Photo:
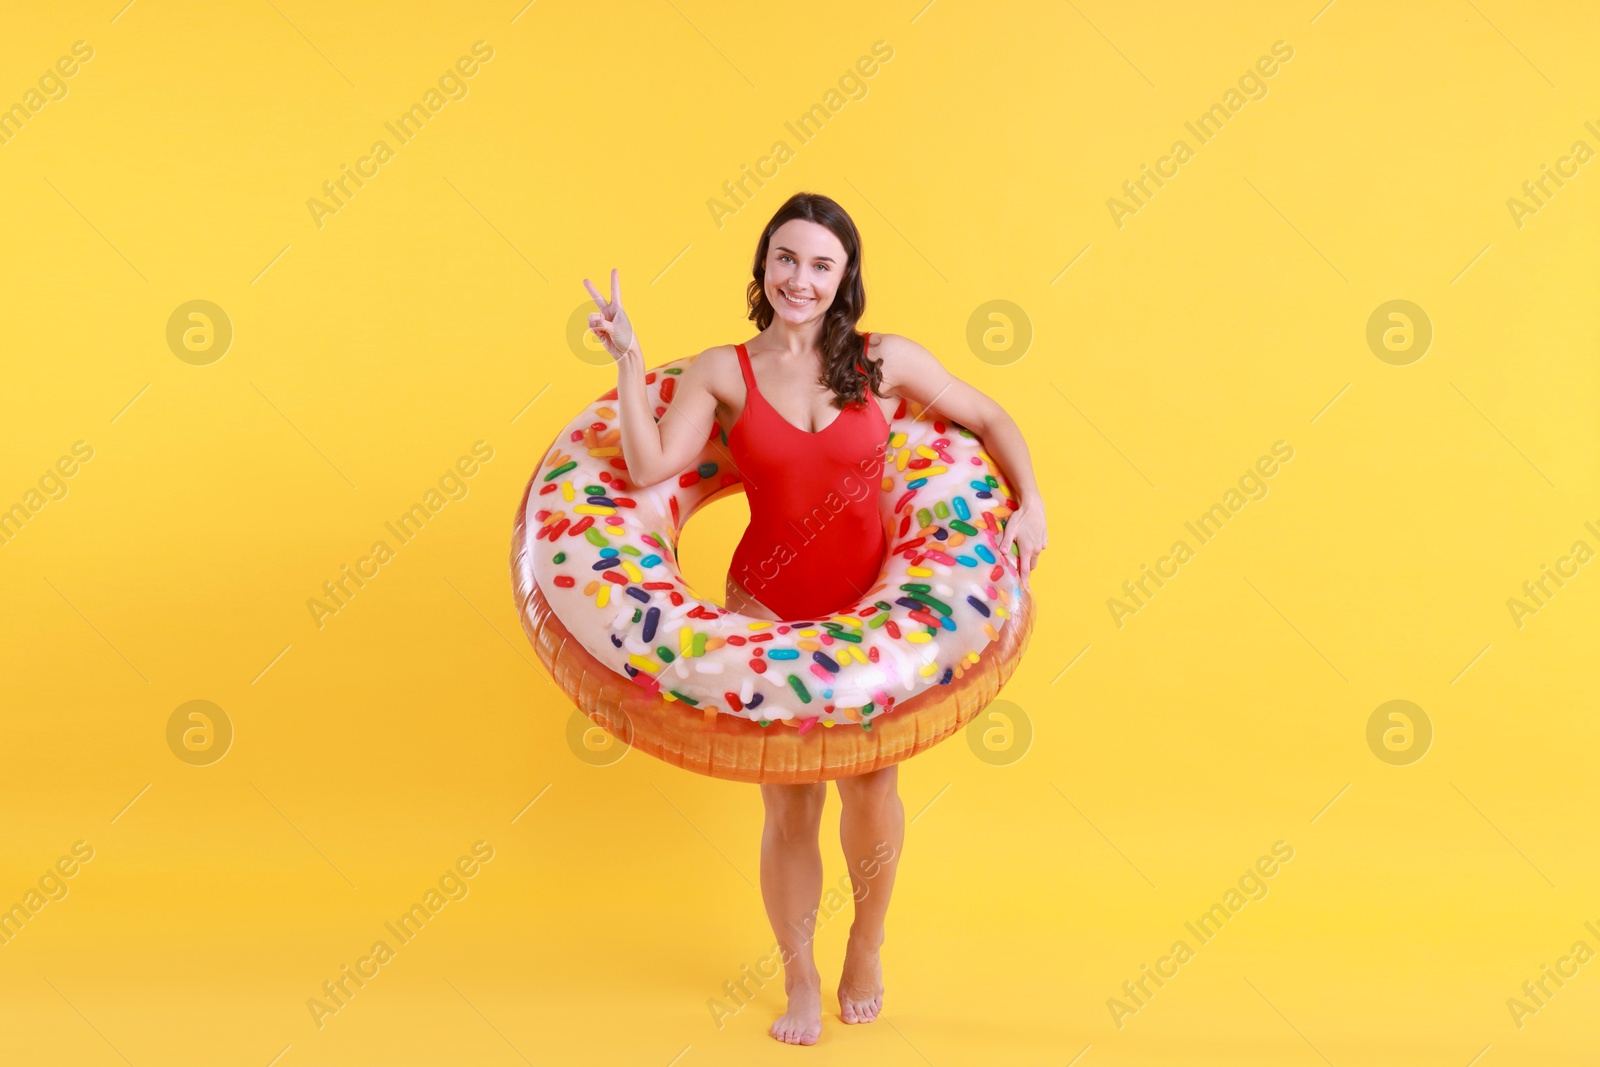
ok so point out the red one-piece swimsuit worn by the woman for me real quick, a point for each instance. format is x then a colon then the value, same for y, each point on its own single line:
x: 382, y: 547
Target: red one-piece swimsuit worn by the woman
x: 815, y: 543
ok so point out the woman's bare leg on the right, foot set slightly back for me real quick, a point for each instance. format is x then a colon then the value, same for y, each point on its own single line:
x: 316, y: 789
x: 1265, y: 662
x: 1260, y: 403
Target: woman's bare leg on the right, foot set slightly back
x: 873, y: 831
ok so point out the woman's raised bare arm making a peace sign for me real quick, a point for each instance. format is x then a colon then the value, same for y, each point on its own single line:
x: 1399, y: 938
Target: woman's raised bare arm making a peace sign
x: 654, y: 450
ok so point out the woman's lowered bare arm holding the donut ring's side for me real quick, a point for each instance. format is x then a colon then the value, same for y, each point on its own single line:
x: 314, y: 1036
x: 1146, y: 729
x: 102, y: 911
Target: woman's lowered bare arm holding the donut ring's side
x: 911, y: 372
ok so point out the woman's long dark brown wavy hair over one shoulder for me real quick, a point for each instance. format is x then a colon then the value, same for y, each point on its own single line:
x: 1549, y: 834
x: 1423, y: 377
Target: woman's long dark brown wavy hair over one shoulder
x: 847, y: 369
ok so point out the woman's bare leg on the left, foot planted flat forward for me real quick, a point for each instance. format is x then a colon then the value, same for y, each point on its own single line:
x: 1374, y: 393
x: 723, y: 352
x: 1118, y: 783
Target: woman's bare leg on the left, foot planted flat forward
x: 793, y: 889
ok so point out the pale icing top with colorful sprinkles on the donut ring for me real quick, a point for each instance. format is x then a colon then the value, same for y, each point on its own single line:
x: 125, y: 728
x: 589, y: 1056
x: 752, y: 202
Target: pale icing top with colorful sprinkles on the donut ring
x: 606, y: 557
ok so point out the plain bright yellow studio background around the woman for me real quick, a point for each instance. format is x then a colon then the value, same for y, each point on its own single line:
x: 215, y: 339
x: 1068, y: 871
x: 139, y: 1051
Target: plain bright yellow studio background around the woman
x: 428, y: 314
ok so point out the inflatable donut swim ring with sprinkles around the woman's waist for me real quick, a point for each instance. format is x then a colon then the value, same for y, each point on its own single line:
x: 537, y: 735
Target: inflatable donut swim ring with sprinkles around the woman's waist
x: 599, y: 593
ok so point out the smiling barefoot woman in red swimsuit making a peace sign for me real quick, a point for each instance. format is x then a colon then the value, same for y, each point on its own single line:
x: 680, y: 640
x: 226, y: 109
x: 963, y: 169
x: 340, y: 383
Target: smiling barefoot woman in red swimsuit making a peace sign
x: 807, y: 404
